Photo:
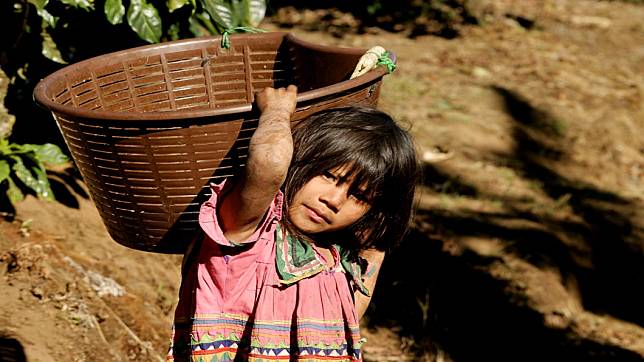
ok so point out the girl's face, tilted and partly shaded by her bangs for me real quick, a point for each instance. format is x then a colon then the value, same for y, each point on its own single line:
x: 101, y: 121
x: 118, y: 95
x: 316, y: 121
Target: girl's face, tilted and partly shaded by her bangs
x: 325, y: 203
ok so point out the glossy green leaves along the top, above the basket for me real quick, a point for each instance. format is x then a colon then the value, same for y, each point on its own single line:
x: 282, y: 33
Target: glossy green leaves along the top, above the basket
x: 151, y: 20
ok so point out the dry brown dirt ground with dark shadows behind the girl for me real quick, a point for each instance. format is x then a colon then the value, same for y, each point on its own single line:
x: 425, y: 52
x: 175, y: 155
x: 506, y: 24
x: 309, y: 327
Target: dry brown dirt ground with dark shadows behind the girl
x: 529, y: 237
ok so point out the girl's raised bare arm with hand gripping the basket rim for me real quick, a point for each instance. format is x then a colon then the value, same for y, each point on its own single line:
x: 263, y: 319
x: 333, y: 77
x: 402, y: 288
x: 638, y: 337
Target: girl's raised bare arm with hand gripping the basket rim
x: 269, y: 155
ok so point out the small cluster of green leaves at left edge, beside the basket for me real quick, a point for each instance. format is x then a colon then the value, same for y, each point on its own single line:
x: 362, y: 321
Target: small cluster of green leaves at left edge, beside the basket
x: 25, y: 164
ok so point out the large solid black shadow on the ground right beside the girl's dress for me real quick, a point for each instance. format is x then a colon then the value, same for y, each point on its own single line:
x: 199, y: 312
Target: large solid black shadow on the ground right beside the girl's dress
x: 470, y: 315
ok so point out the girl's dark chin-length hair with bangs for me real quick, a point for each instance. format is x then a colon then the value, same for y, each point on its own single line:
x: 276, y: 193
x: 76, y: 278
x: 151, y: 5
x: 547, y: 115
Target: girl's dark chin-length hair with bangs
x: 380, y: 155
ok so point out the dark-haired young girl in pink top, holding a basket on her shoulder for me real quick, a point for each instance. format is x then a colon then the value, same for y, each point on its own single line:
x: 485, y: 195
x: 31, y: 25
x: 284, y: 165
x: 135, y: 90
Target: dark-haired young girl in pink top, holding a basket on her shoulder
x: 292, y: 248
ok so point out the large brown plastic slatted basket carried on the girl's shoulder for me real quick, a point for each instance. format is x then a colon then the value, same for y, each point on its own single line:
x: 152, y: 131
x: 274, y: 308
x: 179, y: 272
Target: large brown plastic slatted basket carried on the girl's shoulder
x: 150, y: 127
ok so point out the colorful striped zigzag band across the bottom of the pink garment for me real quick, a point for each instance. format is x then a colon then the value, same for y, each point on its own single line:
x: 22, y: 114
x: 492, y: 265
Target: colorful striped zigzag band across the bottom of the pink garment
x: 268, y: 340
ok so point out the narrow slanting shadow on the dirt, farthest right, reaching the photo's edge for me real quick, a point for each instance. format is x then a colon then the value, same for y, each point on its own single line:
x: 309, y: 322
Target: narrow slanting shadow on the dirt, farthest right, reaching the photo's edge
x: 615, y: 240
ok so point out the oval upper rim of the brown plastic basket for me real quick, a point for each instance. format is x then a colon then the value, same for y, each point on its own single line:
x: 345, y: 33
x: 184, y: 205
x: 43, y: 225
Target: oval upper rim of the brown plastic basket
x: 41, y: 98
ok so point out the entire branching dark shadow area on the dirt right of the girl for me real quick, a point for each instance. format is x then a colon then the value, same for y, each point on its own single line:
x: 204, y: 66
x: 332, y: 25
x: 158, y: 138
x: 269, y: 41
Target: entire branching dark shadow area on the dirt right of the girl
x: 439, y: 298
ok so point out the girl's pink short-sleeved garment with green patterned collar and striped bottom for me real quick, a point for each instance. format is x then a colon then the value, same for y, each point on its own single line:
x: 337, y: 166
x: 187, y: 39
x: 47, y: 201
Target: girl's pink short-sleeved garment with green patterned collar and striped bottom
x: 235, y: 303
